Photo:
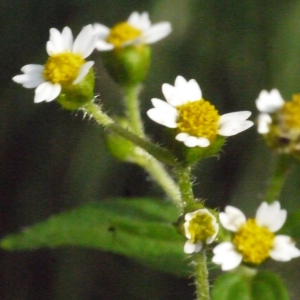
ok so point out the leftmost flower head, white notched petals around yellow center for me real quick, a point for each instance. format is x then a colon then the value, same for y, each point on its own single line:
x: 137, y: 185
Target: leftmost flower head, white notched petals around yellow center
x: 65, y: 66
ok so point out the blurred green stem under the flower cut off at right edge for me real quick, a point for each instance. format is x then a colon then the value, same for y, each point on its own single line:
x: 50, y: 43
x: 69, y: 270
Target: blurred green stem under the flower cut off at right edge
x: 278, y: 178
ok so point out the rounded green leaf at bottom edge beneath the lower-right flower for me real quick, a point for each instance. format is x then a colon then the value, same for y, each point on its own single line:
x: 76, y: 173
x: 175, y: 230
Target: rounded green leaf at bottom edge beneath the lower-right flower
x: 264, y: 285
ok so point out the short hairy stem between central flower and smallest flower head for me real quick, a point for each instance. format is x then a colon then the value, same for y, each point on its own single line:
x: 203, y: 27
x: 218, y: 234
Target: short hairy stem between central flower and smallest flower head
x: 185, y: 185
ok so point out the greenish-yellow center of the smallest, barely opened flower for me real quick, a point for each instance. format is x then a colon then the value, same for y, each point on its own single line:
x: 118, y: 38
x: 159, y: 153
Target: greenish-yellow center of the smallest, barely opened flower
x: 201, y: 227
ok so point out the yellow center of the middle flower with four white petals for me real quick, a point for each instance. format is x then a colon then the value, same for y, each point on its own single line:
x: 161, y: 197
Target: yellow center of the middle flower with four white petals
x: 198, y: 118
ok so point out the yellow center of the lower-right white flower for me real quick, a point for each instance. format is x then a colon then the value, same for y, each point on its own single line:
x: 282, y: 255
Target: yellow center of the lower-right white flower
x: 254, y: 242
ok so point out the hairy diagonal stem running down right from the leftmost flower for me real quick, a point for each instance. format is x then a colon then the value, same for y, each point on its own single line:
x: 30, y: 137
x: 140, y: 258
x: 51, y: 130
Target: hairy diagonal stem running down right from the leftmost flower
x: 103, y: 119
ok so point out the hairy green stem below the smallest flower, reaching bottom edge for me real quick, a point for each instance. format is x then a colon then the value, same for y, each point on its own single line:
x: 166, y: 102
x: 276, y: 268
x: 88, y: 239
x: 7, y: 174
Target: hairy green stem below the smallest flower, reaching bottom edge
x: 201, y: 276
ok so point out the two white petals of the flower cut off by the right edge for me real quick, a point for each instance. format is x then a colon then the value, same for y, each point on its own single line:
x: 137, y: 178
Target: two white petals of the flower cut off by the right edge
x: 267, y: 103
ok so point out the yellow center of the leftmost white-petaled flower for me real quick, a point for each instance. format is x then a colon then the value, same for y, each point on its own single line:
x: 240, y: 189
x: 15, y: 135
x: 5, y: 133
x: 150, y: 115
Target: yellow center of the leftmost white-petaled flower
x: 63, y: 67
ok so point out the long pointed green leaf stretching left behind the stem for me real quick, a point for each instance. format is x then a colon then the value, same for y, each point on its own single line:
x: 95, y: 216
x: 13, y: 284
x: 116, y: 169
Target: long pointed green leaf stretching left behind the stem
x: 141, y: 229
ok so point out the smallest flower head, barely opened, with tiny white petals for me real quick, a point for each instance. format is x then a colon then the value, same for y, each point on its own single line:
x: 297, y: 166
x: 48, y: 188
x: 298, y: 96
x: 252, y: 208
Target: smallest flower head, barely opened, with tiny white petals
x: 200, y: 228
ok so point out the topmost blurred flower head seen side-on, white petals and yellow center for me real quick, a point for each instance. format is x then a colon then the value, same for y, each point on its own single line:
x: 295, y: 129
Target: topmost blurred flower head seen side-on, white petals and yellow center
x: 136, y: 30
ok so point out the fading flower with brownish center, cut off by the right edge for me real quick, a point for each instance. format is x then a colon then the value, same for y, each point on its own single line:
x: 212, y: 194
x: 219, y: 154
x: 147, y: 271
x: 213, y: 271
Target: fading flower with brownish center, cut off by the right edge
x: 279, y: 121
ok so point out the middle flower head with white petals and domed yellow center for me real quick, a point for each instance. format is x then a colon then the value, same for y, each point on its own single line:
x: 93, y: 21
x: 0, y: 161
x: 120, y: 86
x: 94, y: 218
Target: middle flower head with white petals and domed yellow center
x: 197, y: 121
